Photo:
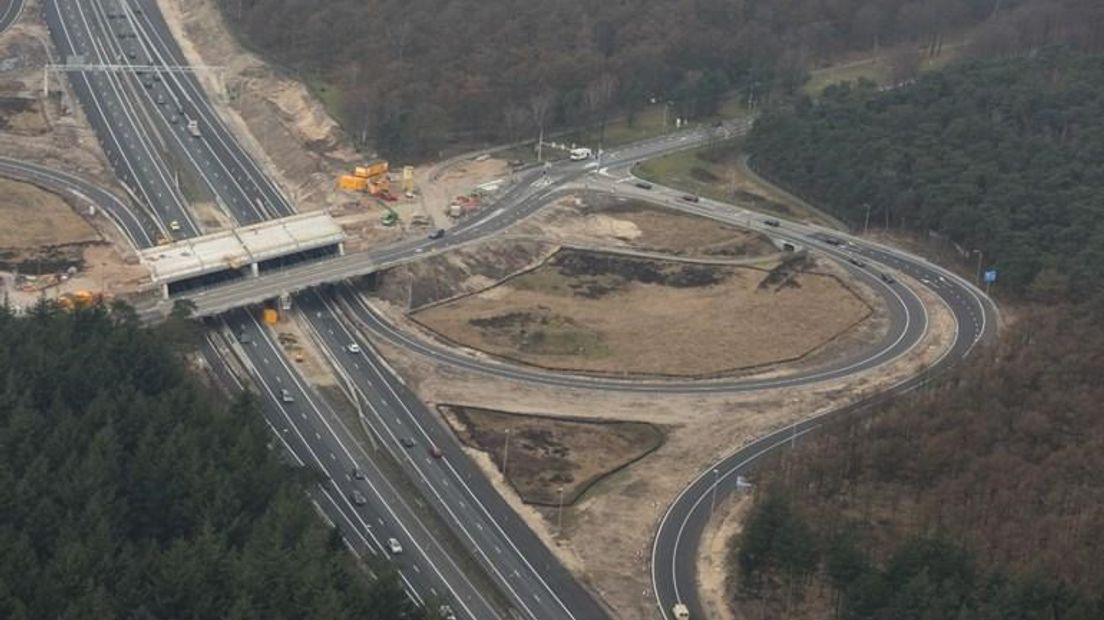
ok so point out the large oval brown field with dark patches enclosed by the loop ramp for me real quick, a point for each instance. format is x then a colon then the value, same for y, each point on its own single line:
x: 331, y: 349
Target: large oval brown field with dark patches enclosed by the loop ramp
x: 604, y: 314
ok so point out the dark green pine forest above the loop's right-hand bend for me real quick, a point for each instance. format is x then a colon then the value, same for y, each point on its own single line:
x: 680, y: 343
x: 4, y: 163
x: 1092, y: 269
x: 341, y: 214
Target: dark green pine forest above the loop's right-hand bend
x: 1002, y: 157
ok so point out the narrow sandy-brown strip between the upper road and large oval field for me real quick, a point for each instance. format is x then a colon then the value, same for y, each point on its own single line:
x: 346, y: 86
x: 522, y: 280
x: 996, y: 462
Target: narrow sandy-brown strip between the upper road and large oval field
x: 611, y: 221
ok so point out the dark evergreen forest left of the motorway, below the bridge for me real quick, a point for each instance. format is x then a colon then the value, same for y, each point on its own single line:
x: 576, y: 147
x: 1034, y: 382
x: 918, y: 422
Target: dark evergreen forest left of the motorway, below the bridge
x: 129, y: 489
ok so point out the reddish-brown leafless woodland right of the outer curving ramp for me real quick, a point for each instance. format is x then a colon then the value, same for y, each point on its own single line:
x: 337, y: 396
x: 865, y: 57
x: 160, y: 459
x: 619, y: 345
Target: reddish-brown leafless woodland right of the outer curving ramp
x: 980, y: 498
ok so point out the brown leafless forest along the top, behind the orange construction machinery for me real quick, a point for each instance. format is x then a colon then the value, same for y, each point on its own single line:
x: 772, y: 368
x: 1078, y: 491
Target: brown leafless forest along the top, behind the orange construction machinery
x: 417, y: 74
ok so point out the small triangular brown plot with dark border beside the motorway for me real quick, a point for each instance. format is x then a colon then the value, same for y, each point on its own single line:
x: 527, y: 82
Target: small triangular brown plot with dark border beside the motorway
x: 549, y: 454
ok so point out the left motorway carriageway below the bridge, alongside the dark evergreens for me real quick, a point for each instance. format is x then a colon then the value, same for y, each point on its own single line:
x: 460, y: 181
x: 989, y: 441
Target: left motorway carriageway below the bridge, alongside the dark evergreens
x: 319, y: 439
